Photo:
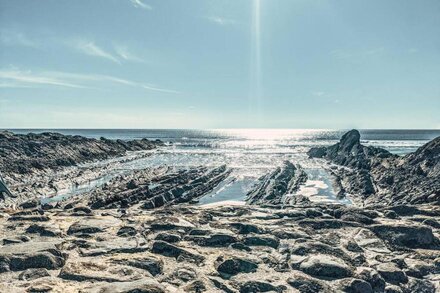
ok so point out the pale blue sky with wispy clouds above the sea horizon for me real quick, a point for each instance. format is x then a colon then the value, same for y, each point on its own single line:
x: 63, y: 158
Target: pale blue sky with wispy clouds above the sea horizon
x: 220, y: 64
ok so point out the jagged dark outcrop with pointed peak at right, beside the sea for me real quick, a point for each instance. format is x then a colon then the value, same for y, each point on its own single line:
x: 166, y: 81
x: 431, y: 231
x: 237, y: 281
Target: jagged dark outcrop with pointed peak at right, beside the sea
x: 381, y: 177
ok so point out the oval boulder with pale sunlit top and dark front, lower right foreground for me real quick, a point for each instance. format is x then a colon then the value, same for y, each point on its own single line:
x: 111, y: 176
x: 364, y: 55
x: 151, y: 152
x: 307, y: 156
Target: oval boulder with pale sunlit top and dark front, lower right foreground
x: 324, y: 266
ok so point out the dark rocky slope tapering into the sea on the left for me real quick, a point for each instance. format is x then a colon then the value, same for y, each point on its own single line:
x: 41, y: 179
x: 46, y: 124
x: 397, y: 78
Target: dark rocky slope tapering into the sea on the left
x: 35, y: 165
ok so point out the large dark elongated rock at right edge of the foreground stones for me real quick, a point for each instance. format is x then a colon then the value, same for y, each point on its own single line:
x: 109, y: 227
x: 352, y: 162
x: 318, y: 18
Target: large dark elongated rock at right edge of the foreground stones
x: 407, y: 236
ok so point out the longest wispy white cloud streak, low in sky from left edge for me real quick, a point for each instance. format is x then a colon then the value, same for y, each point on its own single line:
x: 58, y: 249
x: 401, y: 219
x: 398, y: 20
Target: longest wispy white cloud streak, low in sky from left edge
x: 16, y: 78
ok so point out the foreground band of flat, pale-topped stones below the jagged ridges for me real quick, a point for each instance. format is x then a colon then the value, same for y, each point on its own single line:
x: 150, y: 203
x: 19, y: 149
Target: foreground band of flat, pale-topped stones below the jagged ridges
x: 320, y: 248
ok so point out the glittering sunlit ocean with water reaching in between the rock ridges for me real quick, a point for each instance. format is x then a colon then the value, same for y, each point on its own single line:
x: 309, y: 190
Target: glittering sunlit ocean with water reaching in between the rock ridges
x: 250, y: 153
